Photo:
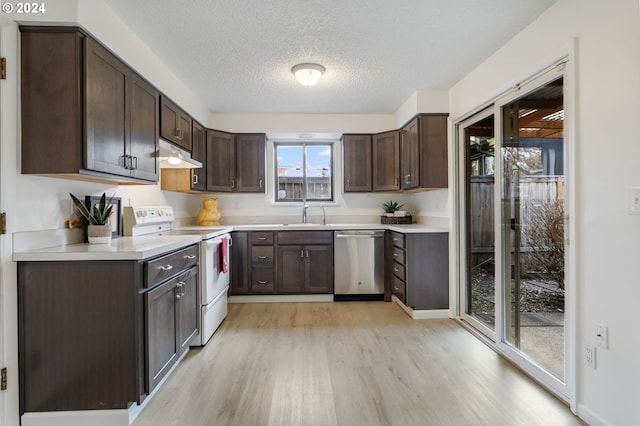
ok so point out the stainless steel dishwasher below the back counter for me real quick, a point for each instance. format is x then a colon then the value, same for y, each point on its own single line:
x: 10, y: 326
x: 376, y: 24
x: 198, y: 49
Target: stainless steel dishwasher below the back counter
x: 359, y: 265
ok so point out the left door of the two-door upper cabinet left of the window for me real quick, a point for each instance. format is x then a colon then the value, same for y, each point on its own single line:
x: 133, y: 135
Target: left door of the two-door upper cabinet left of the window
x: 221, y: 154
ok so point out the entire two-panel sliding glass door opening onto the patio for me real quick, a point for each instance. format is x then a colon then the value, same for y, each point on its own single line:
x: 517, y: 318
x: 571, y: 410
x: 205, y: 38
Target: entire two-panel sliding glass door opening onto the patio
x: 511, y: 178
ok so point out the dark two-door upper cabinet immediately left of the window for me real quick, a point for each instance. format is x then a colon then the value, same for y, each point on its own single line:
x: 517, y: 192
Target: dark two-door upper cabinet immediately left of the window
x: 235, y: 163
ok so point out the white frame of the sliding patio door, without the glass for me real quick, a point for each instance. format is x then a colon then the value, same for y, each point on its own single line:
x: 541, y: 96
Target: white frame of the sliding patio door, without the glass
x: 562, y: 66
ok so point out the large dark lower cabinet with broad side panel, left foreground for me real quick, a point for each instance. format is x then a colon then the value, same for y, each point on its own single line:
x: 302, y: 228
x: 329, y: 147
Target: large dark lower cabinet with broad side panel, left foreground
x: 96, y: 335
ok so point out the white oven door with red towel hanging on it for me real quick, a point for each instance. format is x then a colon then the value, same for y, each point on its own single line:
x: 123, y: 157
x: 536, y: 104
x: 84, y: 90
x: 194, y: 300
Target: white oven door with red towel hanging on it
x: 214, y: 279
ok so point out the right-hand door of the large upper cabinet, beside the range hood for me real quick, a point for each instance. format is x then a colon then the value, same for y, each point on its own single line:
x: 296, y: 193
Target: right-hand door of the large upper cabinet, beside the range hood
x: 144, y: 116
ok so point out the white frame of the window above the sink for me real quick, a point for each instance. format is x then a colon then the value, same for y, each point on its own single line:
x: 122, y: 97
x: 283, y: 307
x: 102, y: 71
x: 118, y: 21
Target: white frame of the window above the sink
x: 305, y: 183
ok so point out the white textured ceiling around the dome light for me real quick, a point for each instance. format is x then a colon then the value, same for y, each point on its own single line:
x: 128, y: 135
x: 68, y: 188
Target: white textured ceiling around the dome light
x: 237, y: 54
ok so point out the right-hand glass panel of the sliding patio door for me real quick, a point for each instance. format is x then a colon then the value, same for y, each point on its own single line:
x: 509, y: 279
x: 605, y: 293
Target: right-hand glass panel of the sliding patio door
x: 532, y: 200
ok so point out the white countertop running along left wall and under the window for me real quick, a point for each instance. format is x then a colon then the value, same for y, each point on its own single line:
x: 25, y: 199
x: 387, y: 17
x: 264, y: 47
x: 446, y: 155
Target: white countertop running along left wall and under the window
x: 144, y: 247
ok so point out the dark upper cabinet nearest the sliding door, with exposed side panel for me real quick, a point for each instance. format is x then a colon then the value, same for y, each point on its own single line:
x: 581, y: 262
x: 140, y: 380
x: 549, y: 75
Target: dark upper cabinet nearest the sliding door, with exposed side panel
x: 423, y: 144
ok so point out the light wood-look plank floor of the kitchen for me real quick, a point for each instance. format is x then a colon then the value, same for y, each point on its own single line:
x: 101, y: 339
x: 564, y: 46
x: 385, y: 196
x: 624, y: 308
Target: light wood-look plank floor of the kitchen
x: 350, y: 363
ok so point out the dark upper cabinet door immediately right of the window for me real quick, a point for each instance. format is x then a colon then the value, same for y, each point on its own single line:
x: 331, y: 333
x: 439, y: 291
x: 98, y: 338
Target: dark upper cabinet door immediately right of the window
x: 356, y: 152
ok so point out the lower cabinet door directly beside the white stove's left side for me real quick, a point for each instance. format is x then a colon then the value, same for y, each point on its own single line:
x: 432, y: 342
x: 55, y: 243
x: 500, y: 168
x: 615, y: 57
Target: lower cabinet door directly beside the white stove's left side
x: 187, y: 323
